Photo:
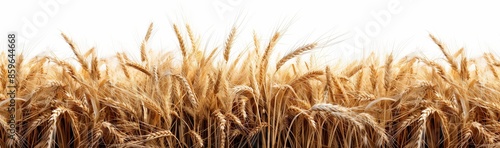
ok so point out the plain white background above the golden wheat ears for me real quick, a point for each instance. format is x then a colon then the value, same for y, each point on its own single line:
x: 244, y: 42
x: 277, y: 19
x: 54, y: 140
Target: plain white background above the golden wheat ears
x: 119, y: 26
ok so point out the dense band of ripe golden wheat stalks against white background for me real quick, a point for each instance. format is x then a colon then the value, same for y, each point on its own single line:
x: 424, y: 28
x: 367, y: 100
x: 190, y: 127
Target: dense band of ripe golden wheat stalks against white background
x: 251, y: 100
